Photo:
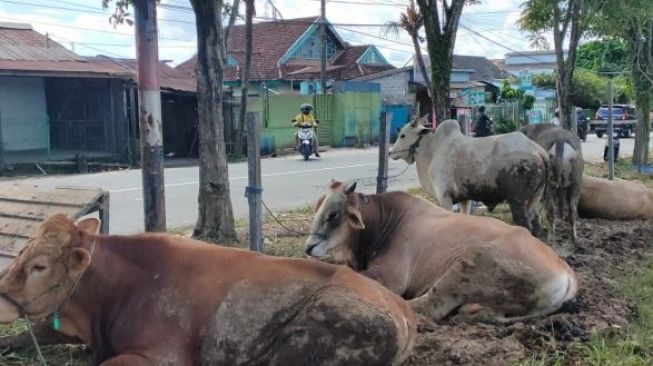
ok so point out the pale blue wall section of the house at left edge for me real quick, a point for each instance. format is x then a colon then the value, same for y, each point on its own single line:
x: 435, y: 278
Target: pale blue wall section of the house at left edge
x: 23, y: 116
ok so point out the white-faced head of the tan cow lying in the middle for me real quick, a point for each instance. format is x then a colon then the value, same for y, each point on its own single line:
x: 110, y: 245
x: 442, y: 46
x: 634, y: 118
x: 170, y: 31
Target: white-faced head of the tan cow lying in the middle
x: 335, y: 212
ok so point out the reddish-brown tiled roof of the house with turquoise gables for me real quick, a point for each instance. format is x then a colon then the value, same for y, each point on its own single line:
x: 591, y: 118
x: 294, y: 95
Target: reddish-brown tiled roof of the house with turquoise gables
x: 271, y: 40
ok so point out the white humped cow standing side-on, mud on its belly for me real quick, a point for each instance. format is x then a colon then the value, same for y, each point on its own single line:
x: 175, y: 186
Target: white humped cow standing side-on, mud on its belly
x: 454, y: 168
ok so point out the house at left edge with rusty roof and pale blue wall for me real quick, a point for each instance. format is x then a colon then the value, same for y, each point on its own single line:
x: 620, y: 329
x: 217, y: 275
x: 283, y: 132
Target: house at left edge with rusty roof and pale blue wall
x: 56, y: 104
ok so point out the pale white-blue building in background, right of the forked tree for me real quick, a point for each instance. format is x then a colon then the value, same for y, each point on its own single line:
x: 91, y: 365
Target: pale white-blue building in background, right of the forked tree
x: 534, y: 62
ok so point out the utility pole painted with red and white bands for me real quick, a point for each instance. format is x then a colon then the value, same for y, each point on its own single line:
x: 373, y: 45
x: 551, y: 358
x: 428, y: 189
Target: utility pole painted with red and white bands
x: 149, y: 97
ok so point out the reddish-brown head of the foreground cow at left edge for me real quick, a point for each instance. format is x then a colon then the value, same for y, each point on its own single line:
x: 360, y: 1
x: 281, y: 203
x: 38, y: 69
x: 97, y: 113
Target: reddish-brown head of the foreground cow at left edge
x: 44, y: 273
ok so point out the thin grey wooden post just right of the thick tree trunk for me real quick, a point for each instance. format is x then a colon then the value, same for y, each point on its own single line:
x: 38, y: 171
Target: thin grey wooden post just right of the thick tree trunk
x: 254, y: 190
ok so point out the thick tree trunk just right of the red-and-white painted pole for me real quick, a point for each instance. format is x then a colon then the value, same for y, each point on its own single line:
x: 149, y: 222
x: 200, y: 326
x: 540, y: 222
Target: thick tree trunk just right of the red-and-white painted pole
x: 215, y: 218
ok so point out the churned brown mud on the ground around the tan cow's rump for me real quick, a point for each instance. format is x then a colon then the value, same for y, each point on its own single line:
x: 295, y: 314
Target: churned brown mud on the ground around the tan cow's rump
x: 605, y: 250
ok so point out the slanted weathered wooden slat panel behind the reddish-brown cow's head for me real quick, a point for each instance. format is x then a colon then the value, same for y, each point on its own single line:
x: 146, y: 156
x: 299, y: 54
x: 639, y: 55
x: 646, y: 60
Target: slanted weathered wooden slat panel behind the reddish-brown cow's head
x: 23, y: 208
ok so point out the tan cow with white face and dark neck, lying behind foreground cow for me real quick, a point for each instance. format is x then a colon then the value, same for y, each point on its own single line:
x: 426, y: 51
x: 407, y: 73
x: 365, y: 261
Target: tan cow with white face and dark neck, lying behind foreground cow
x: 442, y: 260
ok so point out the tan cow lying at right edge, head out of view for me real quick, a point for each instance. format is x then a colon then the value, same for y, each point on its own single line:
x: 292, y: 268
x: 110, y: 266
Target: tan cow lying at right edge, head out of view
x: 616, y: 199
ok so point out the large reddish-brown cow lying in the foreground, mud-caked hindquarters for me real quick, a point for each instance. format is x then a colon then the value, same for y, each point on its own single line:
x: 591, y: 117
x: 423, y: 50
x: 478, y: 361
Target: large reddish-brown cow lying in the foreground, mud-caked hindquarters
x: 164, y: 300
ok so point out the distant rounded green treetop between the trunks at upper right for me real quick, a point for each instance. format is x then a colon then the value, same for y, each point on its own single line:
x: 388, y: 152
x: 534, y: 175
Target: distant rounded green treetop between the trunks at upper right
x: 609, y: 53
